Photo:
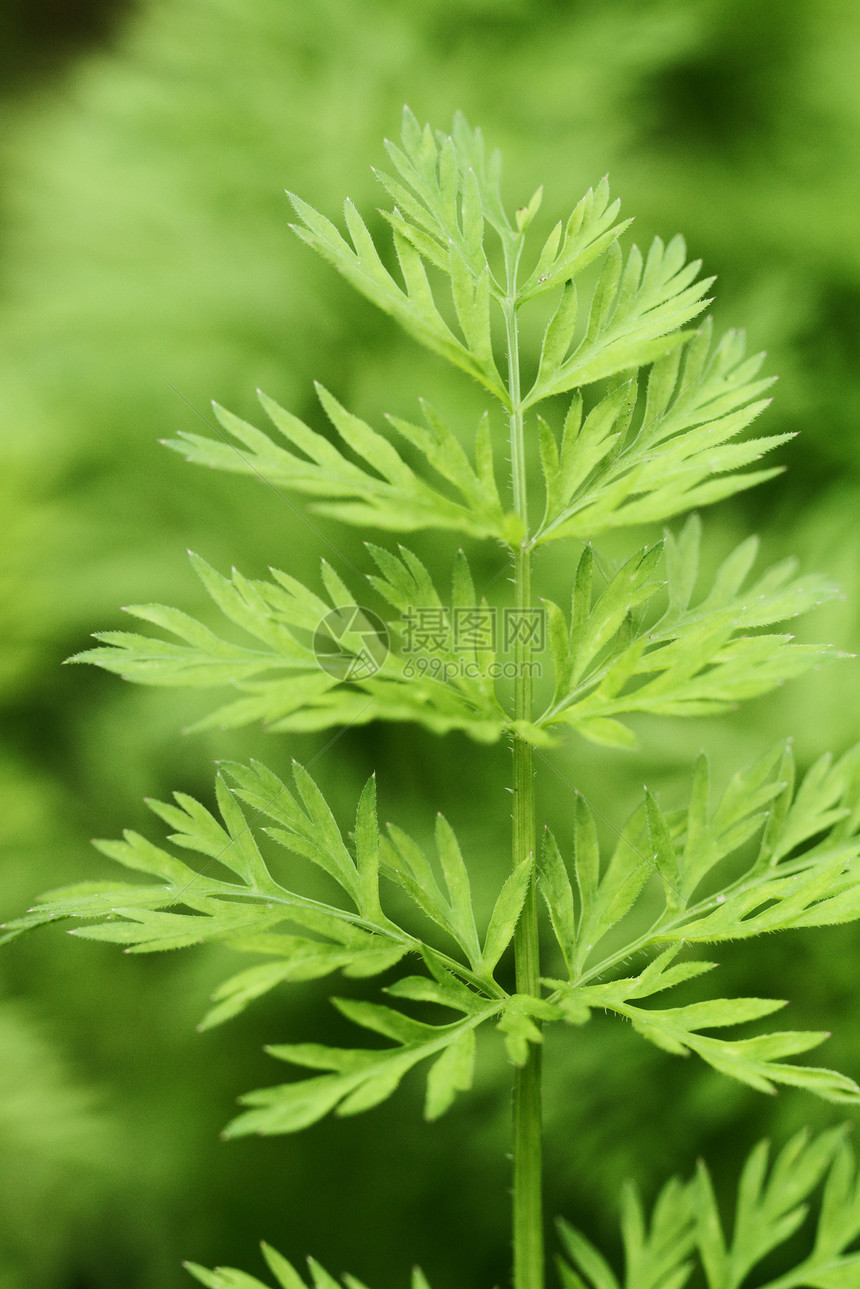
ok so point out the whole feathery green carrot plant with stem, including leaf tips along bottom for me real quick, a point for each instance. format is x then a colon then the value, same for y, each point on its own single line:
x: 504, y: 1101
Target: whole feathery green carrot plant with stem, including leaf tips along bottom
x: 636, y: 416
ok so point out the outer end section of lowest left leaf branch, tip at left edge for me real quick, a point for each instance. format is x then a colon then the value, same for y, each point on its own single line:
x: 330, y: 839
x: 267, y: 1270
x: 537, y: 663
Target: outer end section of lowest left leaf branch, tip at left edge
x: 253, y: 912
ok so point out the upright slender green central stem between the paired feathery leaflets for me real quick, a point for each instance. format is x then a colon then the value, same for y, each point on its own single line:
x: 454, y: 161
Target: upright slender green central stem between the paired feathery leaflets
x: 528, y: 1198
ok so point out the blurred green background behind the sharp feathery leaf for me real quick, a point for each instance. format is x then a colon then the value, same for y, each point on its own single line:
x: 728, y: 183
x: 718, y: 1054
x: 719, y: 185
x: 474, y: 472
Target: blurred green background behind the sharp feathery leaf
x: 146, y: 266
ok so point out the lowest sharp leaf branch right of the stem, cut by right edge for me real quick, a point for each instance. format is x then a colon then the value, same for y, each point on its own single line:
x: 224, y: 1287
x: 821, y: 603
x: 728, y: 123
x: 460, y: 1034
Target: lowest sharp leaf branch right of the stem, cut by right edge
x: 799, y: 875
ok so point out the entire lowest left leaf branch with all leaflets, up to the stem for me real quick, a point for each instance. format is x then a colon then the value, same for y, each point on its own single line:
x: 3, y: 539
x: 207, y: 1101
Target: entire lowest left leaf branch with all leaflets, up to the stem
x: 306, y: 939
